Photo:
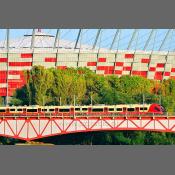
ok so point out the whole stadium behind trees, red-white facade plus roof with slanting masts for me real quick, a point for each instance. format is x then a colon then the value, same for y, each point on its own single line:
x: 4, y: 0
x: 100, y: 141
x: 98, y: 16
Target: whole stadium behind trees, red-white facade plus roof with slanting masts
x: 143, y: 52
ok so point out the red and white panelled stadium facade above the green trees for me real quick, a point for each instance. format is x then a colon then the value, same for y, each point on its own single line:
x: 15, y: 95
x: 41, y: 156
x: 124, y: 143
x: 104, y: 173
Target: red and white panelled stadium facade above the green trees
x: 157, y: 66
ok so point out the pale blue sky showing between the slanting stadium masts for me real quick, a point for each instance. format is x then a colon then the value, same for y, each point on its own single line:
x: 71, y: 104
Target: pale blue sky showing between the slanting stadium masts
x: 106, y: 37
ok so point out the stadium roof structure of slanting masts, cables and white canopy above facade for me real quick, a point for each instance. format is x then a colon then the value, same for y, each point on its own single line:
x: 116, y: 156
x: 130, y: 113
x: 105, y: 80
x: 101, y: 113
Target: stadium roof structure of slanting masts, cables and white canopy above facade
x: 92, y: 39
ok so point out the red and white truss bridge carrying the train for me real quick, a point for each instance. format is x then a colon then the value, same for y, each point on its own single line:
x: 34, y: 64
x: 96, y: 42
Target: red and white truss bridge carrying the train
x: 38, y: 126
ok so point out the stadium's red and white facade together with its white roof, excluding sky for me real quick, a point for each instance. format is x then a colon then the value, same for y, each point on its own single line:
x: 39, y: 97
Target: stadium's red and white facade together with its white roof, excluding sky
x: 157, y: 65
